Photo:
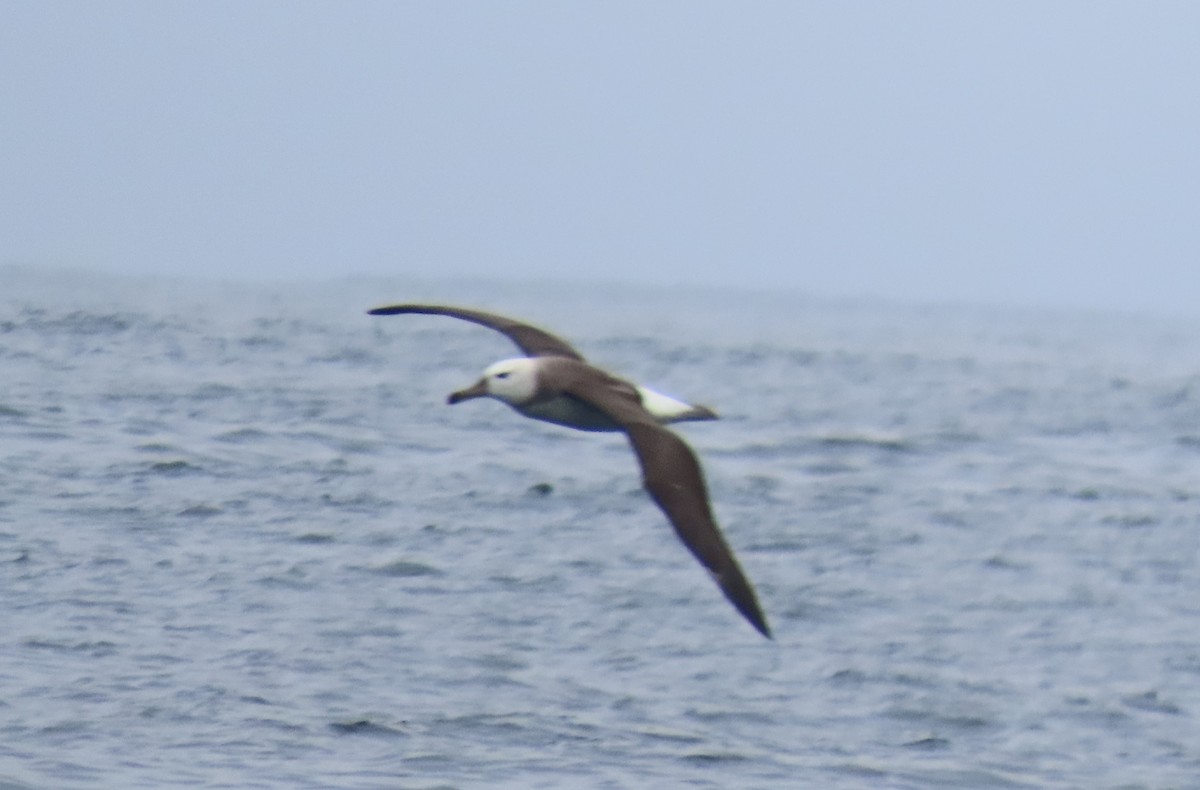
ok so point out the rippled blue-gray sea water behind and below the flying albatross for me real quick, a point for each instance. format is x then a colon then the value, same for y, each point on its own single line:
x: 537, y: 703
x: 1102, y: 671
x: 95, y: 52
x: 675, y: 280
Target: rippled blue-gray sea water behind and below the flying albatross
x: 244, y: 543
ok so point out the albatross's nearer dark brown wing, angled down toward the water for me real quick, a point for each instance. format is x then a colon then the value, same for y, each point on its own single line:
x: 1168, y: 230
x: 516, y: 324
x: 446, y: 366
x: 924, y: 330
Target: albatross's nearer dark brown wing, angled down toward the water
x: 673, y: 476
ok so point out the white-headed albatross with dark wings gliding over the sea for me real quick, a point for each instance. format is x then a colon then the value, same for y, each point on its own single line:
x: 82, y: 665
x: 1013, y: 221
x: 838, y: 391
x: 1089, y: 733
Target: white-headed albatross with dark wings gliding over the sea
x: 553, y: 382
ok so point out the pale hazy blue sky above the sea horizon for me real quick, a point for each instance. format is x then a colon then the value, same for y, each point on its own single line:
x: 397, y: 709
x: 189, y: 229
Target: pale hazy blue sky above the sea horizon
x: 1028, y: 153
